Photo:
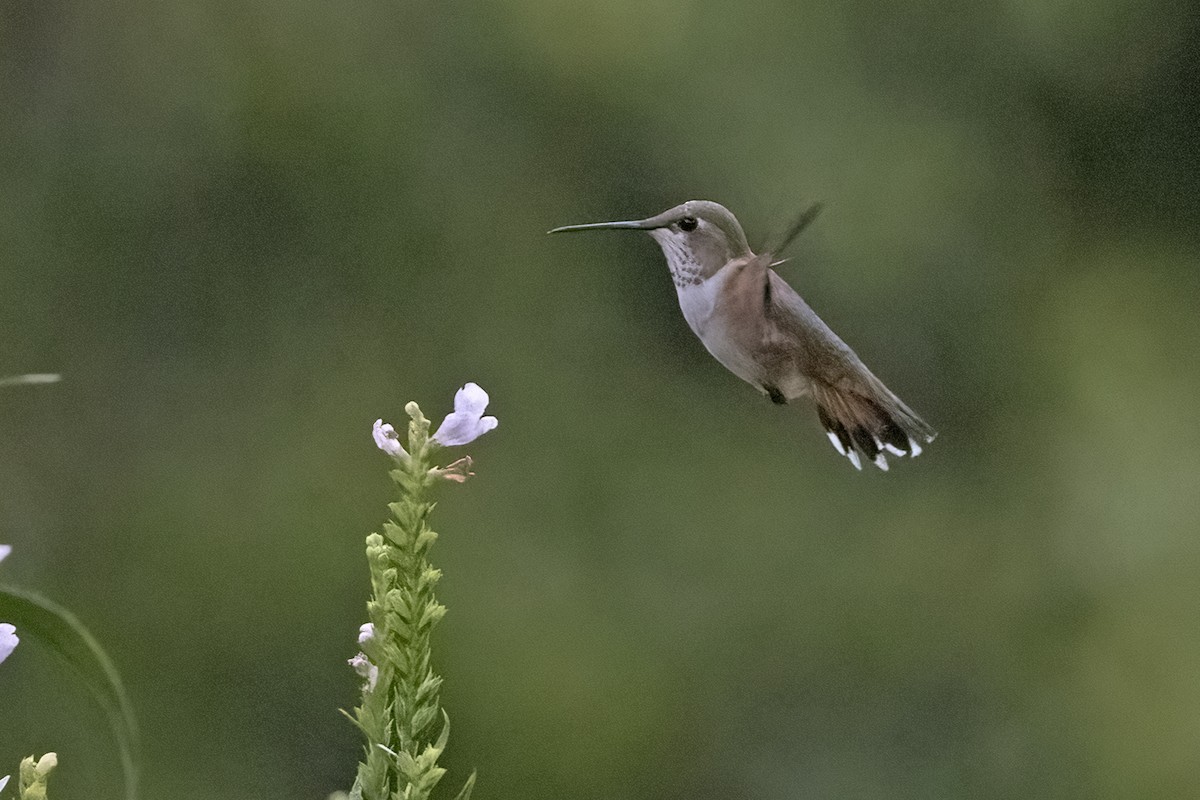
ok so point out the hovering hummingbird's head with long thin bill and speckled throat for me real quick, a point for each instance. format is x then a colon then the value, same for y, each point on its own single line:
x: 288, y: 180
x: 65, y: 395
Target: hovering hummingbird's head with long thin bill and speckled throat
x: 698, y: 238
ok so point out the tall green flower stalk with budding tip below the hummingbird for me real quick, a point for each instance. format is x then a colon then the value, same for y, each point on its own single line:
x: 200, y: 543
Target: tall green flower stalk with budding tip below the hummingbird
x: 401, y: 715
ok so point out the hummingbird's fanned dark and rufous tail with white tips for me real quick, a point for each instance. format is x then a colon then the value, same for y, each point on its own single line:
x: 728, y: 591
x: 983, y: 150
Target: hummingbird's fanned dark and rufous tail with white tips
x: 867, y: 426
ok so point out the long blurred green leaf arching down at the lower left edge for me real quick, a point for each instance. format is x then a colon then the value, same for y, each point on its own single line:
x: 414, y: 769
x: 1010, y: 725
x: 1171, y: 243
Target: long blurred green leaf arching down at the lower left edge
x: 64, y: 634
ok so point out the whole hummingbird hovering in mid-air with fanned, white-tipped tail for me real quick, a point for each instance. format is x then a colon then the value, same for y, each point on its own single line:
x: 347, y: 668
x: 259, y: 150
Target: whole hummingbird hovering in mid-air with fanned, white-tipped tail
x: 763, y: 332
